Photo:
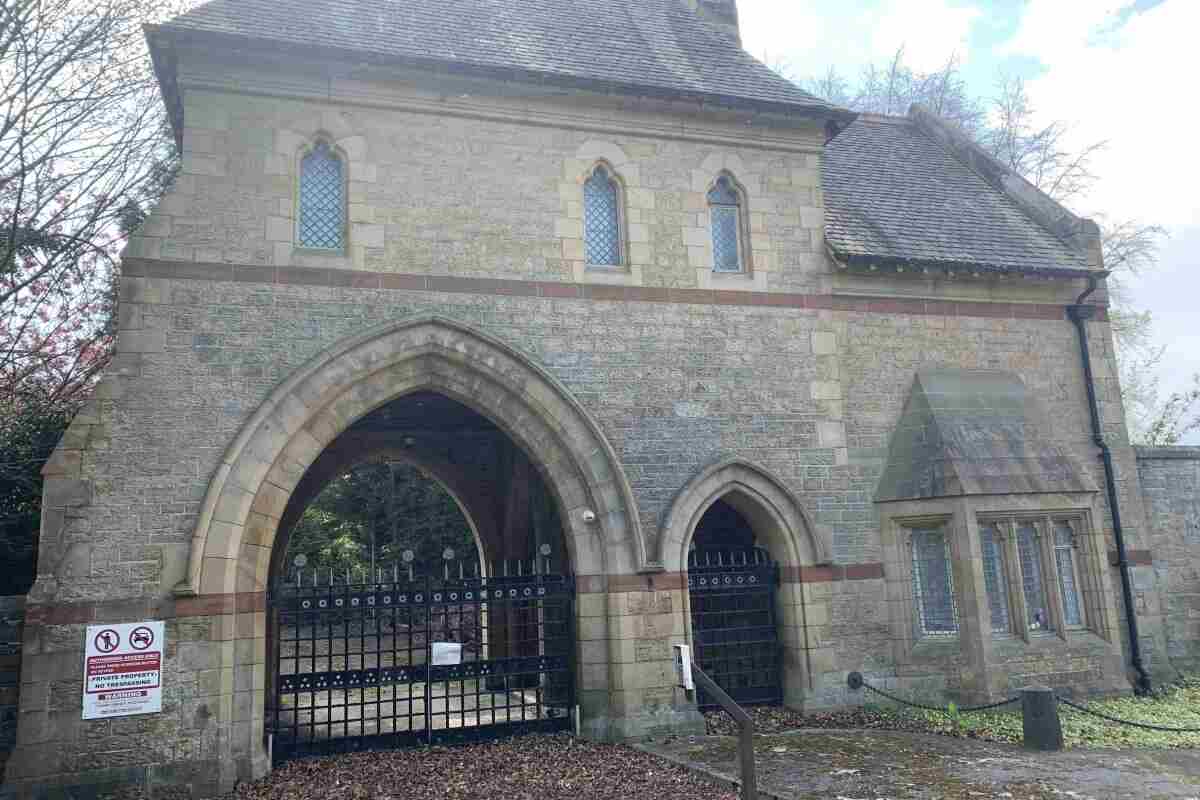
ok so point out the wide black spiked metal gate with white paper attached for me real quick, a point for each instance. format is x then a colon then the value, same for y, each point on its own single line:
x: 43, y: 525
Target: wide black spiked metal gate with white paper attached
x: 410, y: 659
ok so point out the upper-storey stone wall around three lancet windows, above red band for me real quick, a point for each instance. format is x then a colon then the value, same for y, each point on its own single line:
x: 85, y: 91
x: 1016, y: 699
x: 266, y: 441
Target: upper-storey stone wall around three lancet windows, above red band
x: 471, y: 196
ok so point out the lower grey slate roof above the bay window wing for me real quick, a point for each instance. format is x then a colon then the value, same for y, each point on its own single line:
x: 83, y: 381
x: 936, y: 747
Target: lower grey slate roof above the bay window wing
x: 893, y: 193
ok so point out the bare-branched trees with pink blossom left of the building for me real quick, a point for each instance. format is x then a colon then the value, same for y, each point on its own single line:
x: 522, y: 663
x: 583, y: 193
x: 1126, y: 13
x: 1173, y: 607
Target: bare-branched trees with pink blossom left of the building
x: 83, y: 157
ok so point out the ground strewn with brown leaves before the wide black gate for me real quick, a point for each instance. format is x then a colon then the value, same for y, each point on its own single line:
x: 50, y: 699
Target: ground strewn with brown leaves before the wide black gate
x: 527, y: 768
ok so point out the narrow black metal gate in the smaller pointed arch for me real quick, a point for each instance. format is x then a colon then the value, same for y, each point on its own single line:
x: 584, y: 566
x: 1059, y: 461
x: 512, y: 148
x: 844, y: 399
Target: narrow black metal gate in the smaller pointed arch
x: 736, y: 641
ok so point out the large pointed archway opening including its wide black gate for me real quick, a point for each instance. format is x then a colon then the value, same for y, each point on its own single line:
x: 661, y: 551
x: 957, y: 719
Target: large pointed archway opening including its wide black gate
x: 419, y: 591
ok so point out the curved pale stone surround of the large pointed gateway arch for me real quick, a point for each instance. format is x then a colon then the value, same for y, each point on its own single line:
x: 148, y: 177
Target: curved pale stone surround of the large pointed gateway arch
x: 263, y: 467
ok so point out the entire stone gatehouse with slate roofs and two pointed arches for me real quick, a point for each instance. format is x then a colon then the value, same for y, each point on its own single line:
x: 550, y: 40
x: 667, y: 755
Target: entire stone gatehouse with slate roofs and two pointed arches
x: 638, y: 304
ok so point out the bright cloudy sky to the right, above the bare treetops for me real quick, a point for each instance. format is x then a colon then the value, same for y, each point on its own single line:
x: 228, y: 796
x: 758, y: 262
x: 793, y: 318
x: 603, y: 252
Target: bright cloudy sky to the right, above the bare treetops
x: 1123, y: 73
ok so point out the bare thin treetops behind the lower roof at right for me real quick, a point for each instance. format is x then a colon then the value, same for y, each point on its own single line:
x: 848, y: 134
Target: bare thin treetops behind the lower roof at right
x: 1009, y: 129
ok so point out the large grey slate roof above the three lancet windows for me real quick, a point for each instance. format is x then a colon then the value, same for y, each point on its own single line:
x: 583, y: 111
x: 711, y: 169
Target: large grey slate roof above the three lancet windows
x: 656, y: 45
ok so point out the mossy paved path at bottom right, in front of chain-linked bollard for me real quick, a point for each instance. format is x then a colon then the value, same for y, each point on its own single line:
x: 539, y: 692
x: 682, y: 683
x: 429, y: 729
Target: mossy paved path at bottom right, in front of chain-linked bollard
x: 873, y: 766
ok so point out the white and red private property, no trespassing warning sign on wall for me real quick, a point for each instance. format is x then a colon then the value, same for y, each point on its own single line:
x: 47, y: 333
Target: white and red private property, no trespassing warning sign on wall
x: 123, y: 670
